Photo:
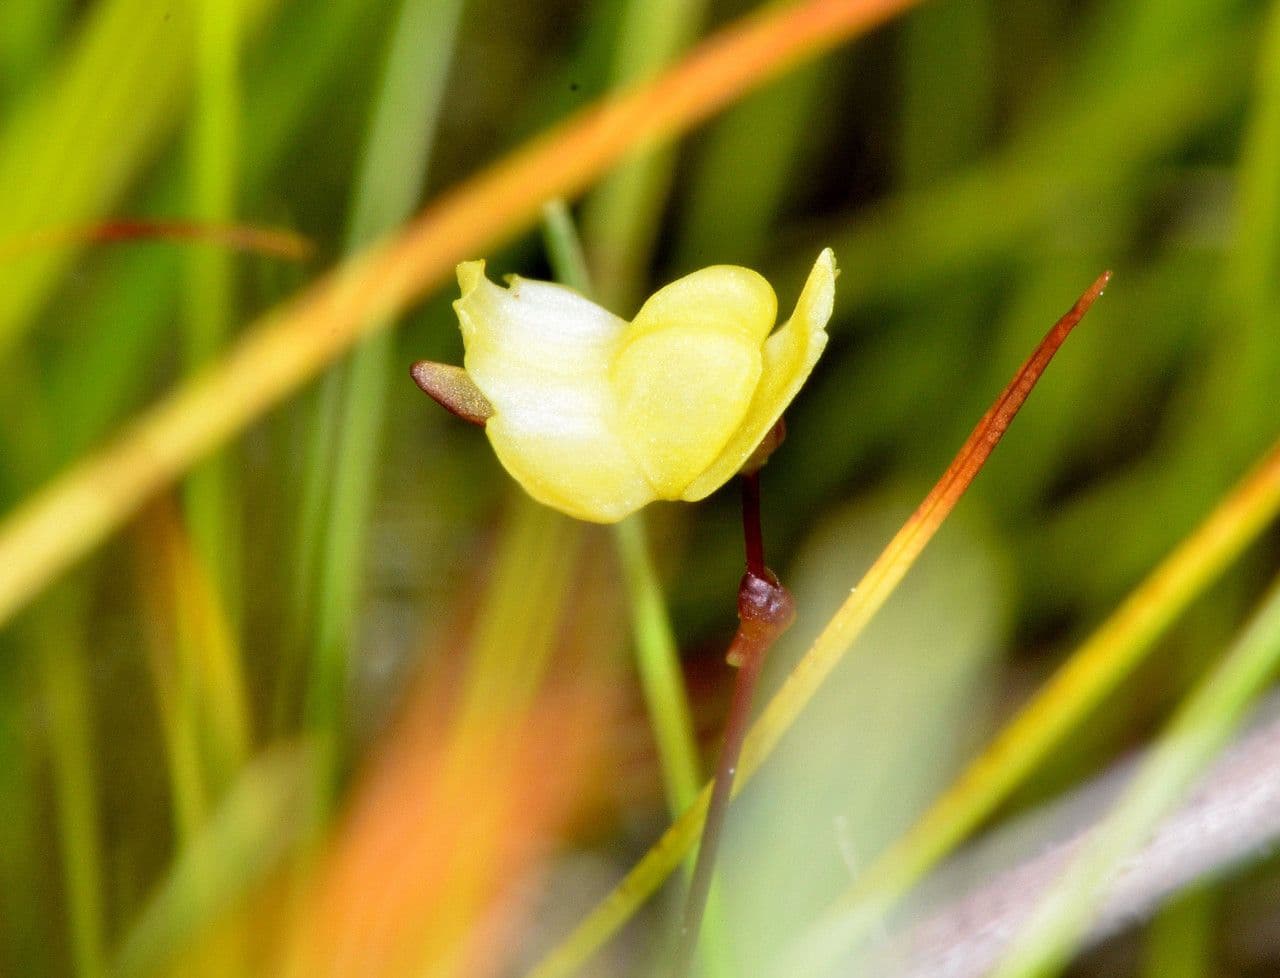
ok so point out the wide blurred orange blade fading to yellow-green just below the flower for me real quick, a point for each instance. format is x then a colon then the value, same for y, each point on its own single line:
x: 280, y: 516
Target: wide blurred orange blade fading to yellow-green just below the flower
x: 461, y: 806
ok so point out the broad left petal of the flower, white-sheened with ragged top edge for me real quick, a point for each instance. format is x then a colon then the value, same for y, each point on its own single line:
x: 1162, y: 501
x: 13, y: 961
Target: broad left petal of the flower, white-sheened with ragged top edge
x: 541, y: 355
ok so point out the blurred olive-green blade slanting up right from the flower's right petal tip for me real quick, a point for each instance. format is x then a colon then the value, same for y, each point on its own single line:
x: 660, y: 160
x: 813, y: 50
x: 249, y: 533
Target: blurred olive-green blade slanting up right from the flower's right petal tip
x: 952, y: 226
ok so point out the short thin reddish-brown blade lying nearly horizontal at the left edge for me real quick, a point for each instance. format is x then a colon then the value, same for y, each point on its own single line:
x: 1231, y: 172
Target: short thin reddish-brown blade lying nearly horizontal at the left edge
x: 276, y: 243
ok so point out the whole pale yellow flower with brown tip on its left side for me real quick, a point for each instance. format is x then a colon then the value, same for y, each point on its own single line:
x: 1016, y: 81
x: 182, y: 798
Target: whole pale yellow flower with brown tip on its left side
x: 597, y: 417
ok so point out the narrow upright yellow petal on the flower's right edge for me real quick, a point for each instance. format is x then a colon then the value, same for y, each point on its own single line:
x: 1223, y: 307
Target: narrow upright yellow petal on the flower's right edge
x: 789, y: 358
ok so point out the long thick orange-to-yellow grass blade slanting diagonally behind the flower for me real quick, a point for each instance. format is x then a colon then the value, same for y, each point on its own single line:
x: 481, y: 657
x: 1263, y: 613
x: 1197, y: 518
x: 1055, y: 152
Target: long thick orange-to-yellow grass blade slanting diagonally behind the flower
x: 66, y: 520
